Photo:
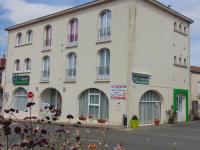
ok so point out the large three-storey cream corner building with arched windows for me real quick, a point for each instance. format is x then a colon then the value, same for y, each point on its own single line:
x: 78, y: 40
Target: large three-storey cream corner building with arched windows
x: 102, y: 59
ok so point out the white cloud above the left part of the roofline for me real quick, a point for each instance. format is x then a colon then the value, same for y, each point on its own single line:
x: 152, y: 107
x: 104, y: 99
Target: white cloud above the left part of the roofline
x: 19, y: 11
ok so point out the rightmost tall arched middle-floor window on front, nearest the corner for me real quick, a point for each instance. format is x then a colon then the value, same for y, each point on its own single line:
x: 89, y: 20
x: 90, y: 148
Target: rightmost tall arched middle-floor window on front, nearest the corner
x: 103, y: 68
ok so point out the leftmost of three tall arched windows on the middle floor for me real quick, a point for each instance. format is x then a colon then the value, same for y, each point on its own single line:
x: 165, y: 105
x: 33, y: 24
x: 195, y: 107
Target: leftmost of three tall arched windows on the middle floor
x: 45, y: 68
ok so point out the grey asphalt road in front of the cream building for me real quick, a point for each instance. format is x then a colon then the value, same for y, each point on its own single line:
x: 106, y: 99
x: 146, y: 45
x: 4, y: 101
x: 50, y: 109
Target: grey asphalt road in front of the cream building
x: 163, y: 137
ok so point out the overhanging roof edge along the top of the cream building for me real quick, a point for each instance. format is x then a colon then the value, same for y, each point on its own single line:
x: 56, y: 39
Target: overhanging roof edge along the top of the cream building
x: 93, y: 4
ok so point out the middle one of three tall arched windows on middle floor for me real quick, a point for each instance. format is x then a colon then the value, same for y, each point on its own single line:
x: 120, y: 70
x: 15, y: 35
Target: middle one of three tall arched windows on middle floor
x: 71, y: 67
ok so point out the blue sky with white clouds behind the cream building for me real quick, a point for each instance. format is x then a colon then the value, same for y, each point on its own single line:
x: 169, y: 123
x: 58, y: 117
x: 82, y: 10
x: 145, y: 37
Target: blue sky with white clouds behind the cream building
x: 17, y: 11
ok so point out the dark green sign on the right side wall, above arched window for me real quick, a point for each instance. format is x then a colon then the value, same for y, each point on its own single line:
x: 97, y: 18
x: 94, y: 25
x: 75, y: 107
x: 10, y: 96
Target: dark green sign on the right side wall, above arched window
x: 139, y: 78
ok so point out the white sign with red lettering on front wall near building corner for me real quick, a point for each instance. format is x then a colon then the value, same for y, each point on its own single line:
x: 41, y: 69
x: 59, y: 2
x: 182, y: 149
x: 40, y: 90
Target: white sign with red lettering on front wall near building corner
x: 119, y: 91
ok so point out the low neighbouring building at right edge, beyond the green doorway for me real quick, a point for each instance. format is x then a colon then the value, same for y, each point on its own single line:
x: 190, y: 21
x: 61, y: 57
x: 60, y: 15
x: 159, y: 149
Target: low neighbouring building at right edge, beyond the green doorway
x: 195, y: 91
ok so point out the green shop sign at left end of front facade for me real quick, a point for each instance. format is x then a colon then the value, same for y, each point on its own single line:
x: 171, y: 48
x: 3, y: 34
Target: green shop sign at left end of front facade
x: 20, y: 79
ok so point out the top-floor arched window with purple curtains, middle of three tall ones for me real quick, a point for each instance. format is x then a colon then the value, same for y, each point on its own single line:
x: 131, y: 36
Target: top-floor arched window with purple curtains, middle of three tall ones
x: 73, y: 31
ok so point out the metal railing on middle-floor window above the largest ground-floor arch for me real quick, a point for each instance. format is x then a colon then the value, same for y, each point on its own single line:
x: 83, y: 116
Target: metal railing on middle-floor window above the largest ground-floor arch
x: 103, y: 72
